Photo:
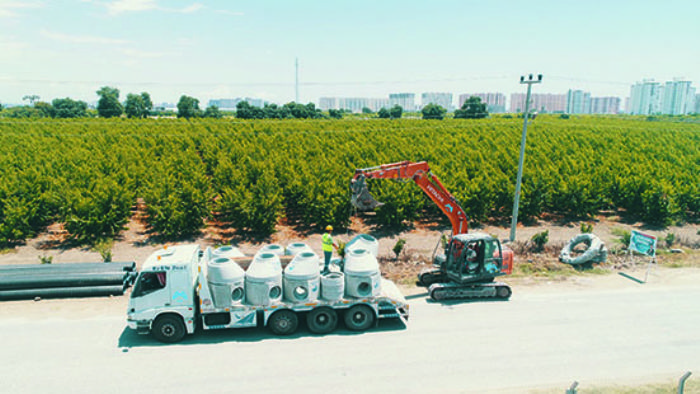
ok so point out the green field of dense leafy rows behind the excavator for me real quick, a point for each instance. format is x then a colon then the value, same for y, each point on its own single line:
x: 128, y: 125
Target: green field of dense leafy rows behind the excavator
x: 88, y: 173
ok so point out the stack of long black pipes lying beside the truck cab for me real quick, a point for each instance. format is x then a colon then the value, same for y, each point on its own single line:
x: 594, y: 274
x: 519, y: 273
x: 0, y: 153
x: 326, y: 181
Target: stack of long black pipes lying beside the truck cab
x: 29, y: 281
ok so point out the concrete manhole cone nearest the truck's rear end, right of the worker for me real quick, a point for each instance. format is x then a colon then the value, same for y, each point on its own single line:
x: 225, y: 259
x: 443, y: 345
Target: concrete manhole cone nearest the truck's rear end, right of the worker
x: 362, y: 276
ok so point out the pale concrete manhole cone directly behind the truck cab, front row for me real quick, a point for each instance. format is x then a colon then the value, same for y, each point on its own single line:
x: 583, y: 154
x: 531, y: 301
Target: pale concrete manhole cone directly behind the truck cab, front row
x: 226, y: 281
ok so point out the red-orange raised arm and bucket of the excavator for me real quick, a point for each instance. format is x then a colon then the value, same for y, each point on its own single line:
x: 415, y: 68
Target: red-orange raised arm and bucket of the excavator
x: 420, y: 173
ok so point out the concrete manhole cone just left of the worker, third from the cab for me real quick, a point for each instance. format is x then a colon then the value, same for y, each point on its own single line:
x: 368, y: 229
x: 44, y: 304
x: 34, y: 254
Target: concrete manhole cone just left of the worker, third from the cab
x: 302, y: 279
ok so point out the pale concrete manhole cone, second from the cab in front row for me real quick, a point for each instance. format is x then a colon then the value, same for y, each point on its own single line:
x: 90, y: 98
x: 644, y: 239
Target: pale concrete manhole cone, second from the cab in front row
x: 263, y: 280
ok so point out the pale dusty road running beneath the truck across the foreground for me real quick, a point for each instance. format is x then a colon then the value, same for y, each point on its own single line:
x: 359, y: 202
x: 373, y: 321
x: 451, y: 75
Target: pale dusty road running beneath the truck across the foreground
x: 539, y: 339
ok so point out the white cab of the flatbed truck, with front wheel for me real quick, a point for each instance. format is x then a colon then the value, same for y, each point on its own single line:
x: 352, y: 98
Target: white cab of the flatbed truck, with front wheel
x: 163, y: 298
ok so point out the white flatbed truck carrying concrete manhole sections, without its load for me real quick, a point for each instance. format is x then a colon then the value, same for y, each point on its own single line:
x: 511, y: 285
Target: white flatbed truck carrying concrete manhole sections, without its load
x: 171, y: 298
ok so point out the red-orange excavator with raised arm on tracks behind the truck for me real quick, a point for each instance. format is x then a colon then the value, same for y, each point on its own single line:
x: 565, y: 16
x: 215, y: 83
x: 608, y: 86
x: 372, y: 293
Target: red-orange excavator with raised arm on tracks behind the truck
x: 469, y: 263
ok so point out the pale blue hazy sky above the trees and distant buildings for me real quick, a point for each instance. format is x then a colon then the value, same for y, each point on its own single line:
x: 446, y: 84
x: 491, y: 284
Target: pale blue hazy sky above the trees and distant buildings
x: 228, y: 49
